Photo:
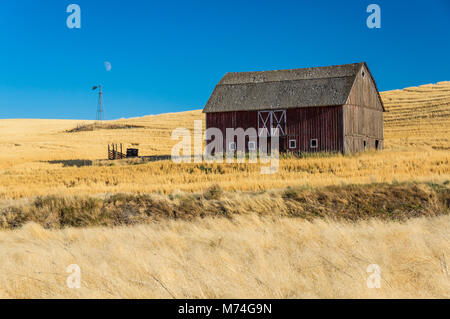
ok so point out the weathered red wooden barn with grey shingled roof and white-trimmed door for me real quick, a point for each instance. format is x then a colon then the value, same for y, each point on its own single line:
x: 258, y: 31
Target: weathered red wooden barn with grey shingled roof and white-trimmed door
x: 323, y: 109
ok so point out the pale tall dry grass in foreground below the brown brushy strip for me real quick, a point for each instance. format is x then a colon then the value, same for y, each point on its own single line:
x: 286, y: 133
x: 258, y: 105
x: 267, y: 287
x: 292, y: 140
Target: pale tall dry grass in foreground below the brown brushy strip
x: 247, y: 257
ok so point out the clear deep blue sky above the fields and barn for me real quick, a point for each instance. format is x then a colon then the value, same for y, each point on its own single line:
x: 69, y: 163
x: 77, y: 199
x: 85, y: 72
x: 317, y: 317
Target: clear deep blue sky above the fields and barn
x: 167, y: 56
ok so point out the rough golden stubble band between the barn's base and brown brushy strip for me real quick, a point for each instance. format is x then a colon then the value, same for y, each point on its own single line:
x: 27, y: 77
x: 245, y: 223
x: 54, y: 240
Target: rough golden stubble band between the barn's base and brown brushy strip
x: 167, y: 177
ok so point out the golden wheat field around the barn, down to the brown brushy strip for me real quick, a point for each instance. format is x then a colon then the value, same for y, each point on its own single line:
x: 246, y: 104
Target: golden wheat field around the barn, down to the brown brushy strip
x: 37, y: 157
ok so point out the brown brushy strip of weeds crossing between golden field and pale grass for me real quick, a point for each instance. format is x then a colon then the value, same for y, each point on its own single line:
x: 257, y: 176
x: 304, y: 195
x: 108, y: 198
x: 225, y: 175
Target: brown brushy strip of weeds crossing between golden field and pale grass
x: 397, y: 202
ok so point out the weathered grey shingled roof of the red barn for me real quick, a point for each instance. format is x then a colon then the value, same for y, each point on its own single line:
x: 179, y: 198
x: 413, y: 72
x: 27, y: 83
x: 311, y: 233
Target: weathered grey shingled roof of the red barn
x: 248, y: 91
